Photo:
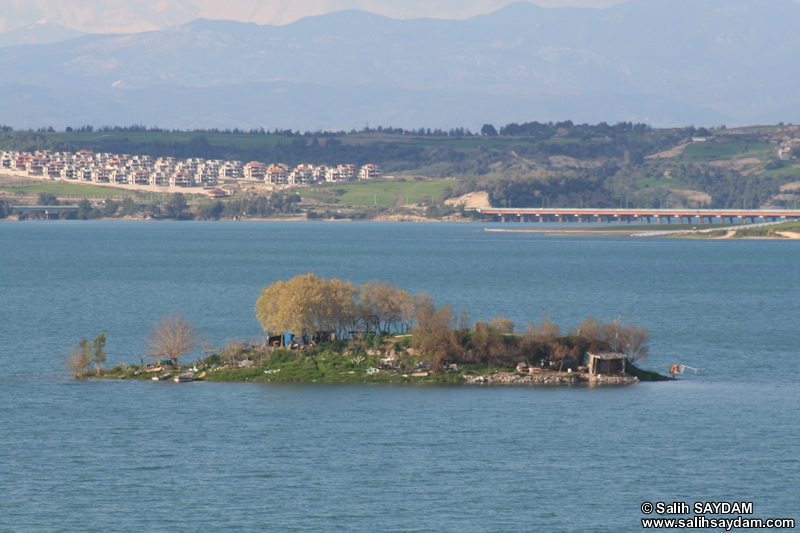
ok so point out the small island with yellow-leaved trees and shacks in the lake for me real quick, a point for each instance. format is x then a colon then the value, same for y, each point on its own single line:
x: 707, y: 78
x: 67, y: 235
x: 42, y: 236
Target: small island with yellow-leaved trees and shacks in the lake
x: 330, y: 331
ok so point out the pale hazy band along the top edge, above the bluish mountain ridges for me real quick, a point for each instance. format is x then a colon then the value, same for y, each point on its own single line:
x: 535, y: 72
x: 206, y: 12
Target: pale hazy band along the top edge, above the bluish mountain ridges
x: 131, y: 16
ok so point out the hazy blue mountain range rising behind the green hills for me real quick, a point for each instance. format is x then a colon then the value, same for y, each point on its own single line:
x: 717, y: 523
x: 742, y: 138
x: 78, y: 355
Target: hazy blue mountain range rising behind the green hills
x: 702, y: 62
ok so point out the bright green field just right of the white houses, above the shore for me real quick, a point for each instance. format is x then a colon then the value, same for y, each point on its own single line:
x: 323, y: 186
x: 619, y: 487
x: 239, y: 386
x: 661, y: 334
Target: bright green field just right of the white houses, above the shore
x: 383, y: 193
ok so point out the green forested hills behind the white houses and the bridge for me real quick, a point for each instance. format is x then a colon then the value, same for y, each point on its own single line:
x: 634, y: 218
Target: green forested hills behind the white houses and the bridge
x: 518, y: 164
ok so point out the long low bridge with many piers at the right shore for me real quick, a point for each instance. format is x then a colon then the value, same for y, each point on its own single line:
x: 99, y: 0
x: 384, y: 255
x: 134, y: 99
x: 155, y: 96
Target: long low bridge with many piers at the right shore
x: 641, y: 216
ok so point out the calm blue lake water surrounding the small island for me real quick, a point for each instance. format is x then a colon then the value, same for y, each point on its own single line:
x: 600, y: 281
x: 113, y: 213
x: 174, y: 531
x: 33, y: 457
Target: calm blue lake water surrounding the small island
x: 122, y: 456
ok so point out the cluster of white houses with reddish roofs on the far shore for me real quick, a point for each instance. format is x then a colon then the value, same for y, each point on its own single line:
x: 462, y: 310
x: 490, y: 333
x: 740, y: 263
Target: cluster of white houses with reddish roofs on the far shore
x: 125, y: 169
